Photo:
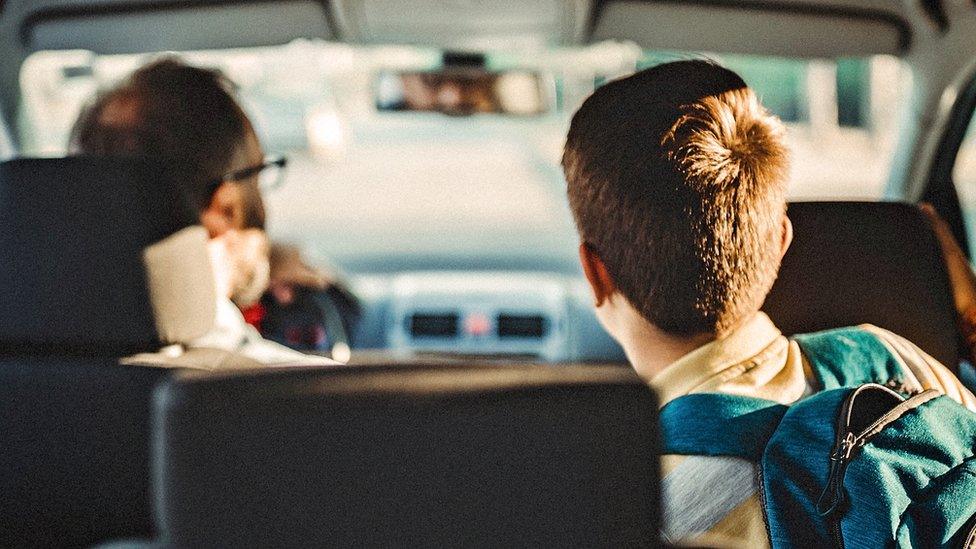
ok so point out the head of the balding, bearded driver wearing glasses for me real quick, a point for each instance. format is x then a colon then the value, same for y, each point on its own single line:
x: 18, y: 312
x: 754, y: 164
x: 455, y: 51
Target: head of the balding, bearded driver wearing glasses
x: 187, y: 117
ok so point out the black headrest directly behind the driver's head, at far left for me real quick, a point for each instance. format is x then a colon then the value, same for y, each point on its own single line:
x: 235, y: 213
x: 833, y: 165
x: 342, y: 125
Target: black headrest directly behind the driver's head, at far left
x: 72, y: 233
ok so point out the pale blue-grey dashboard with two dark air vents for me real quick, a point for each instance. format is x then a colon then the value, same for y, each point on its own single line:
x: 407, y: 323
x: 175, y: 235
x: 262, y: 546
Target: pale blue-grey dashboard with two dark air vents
x: 527, y: 316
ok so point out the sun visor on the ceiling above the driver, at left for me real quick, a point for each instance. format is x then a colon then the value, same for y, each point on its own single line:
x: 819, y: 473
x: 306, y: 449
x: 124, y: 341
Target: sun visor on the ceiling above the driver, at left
x: 136, y: 27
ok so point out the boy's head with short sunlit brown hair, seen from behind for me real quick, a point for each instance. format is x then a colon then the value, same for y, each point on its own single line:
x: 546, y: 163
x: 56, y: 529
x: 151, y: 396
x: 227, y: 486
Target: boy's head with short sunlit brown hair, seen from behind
x: 677, y: 180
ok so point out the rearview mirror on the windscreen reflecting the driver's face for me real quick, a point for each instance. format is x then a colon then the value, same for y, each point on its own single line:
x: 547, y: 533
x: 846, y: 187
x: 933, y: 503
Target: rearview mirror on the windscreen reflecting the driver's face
x: 464, y: 91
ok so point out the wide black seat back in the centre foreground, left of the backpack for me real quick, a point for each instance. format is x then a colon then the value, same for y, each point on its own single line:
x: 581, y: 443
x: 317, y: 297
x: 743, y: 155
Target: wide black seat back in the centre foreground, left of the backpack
x: 408, y: 456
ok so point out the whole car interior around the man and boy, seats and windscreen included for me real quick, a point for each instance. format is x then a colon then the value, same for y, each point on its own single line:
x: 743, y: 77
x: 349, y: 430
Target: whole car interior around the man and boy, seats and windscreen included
x: 476, y: 400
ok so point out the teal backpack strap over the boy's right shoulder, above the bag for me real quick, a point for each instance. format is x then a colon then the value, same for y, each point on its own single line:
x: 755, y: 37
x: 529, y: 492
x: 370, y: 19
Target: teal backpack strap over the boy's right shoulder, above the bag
x: 847, y: 357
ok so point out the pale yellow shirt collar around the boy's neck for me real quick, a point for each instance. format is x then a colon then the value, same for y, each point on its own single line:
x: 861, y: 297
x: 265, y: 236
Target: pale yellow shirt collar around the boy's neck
x: 692, y: 370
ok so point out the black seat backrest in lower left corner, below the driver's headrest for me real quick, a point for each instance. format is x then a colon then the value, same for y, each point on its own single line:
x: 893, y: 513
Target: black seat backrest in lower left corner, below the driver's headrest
x: 74, y: 460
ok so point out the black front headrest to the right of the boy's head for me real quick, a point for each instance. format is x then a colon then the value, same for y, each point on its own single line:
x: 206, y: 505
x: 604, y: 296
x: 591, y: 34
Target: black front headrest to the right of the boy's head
x: 877, y: 263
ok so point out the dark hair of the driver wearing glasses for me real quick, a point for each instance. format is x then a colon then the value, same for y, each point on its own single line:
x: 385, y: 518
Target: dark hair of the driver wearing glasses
x: 185, y: 116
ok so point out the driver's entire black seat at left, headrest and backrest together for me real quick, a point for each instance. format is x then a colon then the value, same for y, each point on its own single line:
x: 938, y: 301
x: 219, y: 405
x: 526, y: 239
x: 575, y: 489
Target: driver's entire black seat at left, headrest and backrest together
x: 84, y: 244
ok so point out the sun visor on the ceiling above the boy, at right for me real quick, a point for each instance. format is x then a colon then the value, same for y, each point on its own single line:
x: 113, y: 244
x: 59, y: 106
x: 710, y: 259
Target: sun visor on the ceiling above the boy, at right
x: 787, y: 30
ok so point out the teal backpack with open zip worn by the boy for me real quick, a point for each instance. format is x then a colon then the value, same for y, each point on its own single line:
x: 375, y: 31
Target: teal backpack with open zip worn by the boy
x: 855, y: 465
